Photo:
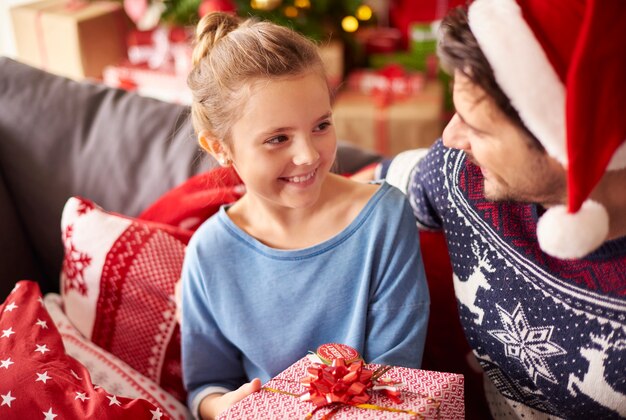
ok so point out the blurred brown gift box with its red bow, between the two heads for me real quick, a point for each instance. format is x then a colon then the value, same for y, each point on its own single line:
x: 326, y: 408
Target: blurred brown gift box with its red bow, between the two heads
x: 389, y: 110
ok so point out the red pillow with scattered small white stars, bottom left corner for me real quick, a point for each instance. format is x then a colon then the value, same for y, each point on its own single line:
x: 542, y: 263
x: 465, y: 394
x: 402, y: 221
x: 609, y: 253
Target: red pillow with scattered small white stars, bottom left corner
x: 39, y: 380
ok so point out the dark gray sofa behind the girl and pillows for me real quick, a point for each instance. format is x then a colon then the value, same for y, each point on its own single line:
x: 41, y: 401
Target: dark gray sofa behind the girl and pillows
x: 60, y: 138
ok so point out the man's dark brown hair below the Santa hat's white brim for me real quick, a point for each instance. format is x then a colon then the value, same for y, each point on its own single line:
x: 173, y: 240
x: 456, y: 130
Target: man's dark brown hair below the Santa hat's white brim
x: 459, y: 50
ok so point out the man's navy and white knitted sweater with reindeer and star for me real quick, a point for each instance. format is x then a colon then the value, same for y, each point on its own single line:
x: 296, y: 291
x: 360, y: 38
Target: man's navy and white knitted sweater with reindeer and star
x: 550, y: 334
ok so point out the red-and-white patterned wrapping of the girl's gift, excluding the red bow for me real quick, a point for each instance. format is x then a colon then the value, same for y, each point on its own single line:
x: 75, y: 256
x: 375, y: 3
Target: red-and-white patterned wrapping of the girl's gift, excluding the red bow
x: 424, y: 394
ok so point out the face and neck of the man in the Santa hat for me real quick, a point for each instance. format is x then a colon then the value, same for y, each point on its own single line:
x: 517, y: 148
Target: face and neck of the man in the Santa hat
x: 514, y: 168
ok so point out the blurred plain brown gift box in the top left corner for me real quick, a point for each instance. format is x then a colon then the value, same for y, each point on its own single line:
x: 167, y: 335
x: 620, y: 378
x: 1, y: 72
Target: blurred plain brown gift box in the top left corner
x: 75, y: 39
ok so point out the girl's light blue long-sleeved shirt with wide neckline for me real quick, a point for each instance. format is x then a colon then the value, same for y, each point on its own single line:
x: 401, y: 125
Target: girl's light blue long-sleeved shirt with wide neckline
x: 250, y: 310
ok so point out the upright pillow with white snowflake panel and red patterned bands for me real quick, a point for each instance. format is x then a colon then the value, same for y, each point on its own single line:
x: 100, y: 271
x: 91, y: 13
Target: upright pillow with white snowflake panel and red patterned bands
x: 117, y: 285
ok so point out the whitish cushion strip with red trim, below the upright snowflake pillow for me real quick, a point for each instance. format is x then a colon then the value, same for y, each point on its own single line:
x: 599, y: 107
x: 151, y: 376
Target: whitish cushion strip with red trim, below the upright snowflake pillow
x: 107, y: 370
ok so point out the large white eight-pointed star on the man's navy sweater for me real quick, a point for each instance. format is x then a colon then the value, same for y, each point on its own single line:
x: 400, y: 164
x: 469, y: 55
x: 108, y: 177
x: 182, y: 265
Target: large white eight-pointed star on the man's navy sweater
x: 530, y: 345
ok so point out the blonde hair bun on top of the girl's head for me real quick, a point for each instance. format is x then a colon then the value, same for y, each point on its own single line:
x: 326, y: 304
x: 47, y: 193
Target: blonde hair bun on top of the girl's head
x: 211, y: 28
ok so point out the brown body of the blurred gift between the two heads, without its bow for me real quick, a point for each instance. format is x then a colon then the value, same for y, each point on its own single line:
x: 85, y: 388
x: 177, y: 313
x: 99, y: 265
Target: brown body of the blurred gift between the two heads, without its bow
x: 392, y: 126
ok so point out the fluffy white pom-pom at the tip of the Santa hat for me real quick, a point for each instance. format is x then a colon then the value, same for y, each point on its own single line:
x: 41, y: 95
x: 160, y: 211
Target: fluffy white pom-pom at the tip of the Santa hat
x: 573, y: 235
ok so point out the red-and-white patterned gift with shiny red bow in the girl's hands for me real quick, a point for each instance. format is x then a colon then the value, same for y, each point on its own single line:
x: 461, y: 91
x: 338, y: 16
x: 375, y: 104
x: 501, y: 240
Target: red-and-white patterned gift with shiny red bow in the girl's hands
x: 347, y: 389
